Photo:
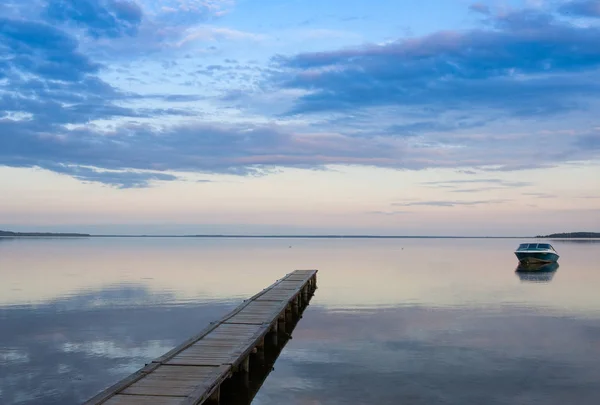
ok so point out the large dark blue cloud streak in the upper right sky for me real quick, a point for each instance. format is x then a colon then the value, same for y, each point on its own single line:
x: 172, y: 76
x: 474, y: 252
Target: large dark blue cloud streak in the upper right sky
x: 524, y: 63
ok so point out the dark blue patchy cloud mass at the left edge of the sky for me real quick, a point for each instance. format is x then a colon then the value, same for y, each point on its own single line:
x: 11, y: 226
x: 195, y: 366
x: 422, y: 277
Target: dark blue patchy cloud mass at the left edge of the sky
x: 48, y: 84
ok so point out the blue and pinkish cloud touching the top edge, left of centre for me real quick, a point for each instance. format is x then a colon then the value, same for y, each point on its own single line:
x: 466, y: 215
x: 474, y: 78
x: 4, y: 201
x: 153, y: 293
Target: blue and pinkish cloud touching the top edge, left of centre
x: 126, y: 30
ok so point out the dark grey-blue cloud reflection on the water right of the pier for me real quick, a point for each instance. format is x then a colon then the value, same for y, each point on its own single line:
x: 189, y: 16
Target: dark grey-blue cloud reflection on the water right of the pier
x: 437, y: 356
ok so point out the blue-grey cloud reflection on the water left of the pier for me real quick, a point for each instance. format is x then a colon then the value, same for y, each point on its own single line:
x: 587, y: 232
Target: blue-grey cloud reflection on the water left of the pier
x: 67, y: 350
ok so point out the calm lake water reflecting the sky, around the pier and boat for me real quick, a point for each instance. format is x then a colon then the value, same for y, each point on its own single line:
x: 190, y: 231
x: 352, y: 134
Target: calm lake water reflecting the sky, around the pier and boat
x: 411, y: 321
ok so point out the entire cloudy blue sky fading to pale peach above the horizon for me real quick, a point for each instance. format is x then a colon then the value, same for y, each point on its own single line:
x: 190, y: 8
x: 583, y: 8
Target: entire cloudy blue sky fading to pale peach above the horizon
x: 437, y: 117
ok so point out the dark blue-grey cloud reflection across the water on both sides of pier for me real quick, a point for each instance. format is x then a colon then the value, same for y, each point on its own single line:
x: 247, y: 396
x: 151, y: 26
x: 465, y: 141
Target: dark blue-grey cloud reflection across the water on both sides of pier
x: 67, y: 350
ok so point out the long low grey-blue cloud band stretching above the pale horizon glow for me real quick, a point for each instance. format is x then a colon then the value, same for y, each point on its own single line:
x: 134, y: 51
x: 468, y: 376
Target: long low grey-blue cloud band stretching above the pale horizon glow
x: 240, y: 149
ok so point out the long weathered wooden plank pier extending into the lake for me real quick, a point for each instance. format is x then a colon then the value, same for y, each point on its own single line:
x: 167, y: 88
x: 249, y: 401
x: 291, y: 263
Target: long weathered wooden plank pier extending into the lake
x: 222, y: 355
